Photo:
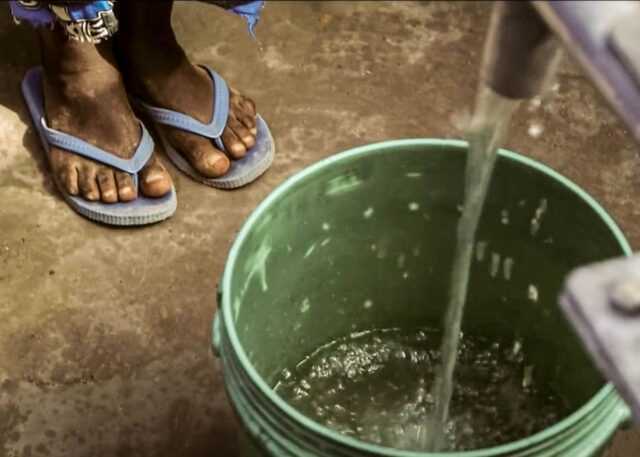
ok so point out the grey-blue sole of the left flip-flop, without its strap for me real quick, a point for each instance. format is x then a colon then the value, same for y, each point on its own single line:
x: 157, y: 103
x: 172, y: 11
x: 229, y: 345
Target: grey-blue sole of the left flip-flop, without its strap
x: 141, y: 211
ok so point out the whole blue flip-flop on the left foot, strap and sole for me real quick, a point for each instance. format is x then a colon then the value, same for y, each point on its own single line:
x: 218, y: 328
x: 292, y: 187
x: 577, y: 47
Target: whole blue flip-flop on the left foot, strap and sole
x: 142, y: 210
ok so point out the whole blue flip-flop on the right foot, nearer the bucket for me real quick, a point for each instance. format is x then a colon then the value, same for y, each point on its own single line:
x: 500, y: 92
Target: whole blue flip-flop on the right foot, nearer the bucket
x: 241, y: 172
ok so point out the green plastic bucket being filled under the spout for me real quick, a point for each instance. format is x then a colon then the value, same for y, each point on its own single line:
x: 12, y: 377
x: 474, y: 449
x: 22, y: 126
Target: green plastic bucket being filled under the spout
x: 376, y: 224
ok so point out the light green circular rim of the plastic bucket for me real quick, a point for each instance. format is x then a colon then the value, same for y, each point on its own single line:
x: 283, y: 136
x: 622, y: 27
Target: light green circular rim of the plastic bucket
x: 605, y: 393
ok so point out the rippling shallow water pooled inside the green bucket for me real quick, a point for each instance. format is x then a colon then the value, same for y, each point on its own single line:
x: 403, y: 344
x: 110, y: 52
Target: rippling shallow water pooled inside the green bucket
x: 376, y: 386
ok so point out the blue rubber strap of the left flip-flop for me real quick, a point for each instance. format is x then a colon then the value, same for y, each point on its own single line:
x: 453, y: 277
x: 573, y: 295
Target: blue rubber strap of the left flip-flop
x: 80, y: 147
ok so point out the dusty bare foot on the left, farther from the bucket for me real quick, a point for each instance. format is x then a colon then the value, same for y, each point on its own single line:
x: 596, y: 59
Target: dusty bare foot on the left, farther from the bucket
x: 85, y: 97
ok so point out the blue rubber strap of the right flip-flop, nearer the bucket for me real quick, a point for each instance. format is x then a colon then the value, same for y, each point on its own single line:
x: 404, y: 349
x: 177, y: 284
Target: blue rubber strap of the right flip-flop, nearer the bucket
x: 187, y: 123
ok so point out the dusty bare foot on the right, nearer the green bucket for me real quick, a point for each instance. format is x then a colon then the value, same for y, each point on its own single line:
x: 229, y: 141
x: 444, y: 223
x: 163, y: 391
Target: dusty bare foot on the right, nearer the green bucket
x: 156, y: 69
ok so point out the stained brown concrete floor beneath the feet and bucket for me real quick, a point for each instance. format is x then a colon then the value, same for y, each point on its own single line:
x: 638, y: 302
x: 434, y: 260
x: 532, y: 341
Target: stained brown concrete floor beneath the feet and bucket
x: 104, y: 334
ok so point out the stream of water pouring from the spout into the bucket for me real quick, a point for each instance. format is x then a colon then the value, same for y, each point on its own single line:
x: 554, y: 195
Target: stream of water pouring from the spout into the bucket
x: 488, y: 126
